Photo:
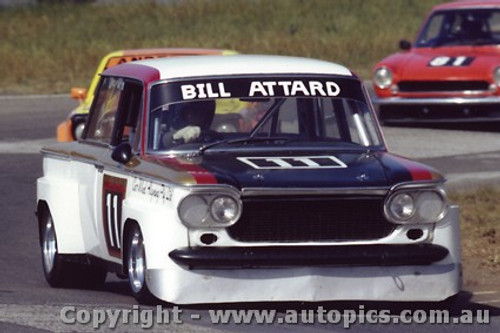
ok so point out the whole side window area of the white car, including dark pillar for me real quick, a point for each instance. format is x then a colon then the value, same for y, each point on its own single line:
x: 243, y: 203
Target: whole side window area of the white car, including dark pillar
x: 116, y: 111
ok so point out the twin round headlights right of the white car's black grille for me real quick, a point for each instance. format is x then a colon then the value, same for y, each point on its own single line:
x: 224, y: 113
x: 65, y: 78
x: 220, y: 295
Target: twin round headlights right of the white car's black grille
x: 416, y: 206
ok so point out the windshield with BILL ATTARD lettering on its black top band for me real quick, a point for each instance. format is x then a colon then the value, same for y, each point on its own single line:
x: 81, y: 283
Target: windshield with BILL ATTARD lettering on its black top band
x: 260, y: 114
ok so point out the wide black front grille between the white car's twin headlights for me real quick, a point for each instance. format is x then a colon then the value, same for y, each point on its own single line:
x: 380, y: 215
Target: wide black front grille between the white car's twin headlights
x: 300, y: 219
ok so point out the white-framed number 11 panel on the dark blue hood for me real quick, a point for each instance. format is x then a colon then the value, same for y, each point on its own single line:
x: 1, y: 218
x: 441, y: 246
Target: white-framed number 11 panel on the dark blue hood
x: 297, y: 162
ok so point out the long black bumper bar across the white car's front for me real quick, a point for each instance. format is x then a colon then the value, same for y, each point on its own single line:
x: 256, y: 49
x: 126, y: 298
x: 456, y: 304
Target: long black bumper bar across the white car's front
x: 288, y: 256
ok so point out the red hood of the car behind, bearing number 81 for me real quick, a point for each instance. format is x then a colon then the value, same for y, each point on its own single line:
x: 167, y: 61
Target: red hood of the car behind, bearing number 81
x: 441, y: 63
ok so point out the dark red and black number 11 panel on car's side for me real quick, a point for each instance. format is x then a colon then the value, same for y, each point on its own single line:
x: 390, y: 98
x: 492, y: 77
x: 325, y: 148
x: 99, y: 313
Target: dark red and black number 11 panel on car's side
x: 113, y: 194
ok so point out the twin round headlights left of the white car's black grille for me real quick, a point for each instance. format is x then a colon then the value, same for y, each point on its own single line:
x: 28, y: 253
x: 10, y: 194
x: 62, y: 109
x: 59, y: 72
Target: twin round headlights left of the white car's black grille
x: 209, y: 210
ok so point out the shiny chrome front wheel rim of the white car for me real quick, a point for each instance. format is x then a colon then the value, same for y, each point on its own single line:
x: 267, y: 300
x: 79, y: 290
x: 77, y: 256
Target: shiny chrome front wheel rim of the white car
x: 136, y: 262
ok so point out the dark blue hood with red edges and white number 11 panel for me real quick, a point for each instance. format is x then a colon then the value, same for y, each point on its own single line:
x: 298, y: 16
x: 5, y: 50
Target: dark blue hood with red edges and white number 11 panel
x: 300, y: 170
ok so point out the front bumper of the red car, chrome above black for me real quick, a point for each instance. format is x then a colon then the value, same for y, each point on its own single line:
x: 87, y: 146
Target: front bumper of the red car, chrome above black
x: 436, y: 110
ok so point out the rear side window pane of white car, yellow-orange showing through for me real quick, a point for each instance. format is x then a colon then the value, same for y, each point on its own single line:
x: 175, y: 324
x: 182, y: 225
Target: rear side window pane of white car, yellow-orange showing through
x: 104, y: 111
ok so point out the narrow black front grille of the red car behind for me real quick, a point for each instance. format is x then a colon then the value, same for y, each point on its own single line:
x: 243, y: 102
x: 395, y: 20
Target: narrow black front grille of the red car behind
x: 446, y: 86
